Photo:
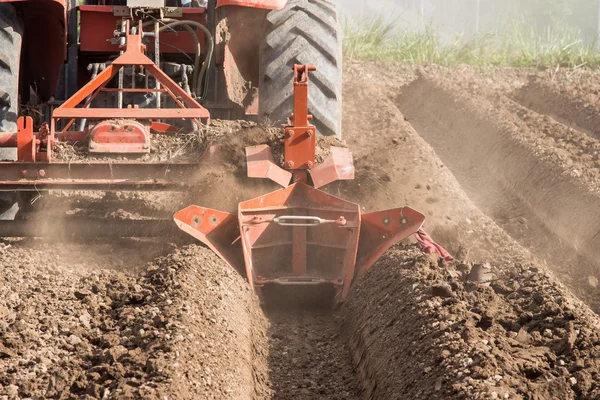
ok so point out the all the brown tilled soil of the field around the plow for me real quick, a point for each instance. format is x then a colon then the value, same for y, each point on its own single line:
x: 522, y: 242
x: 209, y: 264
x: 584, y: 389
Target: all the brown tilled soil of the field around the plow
x: 503, y: 163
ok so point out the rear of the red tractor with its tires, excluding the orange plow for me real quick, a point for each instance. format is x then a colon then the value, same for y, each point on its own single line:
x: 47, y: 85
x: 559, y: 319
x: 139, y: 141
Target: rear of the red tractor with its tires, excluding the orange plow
x: 232, y: 58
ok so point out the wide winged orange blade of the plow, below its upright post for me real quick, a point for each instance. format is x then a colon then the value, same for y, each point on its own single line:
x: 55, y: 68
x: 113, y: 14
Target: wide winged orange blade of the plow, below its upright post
x: 299, y: 236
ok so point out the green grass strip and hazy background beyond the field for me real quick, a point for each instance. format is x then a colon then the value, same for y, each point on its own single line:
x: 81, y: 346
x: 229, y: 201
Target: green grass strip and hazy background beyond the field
x: 532, y: 33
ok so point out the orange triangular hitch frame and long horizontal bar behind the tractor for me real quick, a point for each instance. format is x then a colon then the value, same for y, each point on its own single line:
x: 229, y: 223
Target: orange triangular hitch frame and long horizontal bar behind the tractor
x: 36, y: 170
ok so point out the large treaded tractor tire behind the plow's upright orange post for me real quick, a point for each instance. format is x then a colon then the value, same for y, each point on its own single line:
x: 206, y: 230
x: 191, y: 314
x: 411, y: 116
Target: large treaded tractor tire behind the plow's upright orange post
x: 304, y: 32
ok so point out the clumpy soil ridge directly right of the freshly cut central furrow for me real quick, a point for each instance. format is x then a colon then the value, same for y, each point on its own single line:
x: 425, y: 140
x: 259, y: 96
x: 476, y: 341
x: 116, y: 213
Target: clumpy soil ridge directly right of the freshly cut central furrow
x: 424, y: 330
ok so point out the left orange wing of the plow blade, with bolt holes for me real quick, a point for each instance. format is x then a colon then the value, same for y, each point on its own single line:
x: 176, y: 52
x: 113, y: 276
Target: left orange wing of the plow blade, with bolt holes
x: 218, y: 230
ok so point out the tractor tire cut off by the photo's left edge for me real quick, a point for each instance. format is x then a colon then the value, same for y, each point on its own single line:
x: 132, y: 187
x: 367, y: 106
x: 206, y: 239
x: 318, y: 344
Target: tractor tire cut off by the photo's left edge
x: 11, y: 30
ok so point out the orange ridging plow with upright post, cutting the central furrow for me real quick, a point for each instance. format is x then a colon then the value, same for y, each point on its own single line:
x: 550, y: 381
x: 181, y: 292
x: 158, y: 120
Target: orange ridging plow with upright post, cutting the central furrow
x: 300, y: 235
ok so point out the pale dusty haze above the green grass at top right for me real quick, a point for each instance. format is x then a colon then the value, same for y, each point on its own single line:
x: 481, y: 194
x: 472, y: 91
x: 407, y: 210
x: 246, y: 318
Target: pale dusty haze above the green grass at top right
x: 467, y: 18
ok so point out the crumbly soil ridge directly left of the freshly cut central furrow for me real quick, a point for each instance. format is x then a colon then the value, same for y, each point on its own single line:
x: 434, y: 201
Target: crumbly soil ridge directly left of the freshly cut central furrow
x: 72, y: 327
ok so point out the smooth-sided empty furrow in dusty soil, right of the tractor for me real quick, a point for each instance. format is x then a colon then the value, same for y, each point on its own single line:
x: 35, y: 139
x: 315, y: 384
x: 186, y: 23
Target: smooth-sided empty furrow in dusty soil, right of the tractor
x: 534, y: 176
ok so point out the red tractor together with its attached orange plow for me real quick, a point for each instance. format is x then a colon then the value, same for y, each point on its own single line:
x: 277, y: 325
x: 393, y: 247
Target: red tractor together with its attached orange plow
x: 111, y: 74
